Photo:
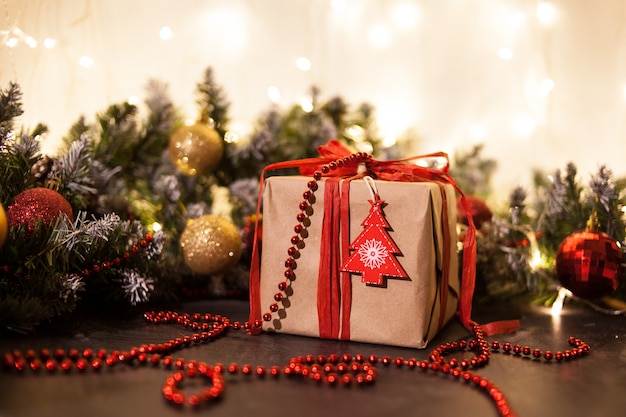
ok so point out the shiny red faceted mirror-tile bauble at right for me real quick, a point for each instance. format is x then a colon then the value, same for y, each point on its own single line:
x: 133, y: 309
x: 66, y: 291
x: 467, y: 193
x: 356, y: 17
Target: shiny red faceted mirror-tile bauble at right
x: 588, y: 264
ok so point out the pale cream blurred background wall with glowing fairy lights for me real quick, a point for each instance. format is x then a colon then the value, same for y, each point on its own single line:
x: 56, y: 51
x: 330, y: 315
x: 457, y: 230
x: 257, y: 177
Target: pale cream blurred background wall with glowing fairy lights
x: 538, y: 84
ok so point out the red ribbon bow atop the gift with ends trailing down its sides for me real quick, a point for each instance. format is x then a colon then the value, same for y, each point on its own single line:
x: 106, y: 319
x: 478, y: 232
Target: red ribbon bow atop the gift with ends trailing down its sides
x: 392, y: 170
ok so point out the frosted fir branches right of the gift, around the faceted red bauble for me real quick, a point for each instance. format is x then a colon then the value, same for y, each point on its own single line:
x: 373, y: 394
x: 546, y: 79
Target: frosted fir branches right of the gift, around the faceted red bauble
x: 517, y: 258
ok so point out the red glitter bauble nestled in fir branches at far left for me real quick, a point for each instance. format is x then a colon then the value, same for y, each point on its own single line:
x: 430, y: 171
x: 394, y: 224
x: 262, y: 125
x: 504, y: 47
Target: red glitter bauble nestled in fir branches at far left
x: 37, y: 205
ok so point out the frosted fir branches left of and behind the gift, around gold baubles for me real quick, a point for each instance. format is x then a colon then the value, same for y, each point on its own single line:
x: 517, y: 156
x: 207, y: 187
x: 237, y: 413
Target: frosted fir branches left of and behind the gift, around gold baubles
x: 116, y: 173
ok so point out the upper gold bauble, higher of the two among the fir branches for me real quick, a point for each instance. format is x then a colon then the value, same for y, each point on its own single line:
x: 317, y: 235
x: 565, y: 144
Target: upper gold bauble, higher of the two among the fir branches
x: 196, y: 149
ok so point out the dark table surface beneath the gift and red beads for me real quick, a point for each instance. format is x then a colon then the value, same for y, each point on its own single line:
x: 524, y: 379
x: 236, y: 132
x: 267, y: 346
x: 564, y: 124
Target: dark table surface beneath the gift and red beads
x: 594, y: 385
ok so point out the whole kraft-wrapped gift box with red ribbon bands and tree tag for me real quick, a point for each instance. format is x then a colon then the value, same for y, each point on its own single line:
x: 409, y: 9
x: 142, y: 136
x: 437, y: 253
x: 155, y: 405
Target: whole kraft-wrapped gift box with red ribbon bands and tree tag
x: 406, y: 308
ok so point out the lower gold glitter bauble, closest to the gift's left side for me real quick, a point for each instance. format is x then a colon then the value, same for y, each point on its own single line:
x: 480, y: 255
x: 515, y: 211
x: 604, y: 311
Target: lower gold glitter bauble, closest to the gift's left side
x: 210, y: 244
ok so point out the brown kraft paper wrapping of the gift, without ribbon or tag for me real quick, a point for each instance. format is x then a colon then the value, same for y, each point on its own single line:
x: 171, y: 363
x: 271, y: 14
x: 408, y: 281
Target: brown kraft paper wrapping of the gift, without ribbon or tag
x: 405, y: 312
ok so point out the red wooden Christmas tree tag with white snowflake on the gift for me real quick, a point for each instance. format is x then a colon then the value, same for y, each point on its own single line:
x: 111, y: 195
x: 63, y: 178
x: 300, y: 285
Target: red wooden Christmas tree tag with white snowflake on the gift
x: 375, y: 252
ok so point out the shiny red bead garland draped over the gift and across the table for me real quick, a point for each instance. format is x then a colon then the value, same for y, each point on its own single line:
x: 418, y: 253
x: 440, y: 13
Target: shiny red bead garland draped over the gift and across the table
x: 334, y: 370
